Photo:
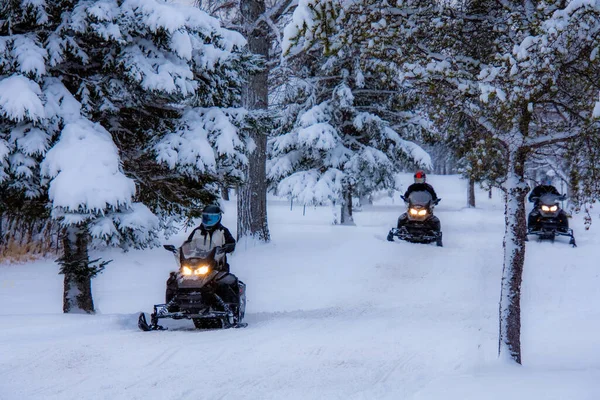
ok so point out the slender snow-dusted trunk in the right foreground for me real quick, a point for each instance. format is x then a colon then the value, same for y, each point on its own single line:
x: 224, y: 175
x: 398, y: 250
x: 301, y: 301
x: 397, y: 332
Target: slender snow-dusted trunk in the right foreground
x: 514, y: 257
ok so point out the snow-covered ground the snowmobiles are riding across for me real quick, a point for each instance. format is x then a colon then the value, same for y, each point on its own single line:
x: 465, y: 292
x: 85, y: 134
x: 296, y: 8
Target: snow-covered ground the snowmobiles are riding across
x: 334, y: 312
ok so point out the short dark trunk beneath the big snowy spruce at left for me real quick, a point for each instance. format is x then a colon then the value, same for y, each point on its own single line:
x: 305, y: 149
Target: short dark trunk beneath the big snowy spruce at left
x: 77, y: 295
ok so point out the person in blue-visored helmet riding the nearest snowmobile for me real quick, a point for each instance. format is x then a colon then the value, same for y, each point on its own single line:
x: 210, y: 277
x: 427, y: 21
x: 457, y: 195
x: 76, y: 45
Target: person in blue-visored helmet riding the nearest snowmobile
x: 210, y: 234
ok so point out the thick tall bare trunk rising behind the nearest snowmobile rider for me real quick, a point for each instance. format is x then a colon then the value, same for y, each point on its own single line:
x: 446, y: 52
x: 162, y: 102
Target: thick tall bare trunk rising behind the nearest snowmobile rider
x: 252, y: 199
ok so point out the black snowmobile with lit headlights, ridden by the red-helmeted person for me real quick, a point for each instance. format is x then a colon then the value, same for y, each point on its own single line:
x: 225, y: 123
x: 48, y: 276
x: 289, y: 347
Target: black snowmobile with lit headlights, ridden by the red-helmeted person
x: 418, y: 224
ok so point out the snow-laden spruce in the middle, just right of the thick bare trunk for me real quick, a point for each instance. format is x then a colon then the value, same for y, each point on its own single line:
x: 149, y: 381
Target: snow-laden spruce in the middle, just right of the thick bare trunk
x: 343, y: 123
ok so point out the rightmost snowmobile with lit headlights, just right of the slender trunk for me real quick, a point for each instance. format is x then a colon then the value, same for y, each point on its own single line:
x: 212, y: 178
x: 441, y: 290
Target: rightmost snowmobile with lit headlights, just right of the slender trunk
x: 548, y: 220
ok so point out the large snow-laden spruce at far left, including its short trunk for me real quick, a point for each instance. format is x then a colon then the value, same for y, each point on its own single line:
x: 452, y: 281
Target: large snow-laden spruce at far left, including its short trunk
x: 122, y: 113
